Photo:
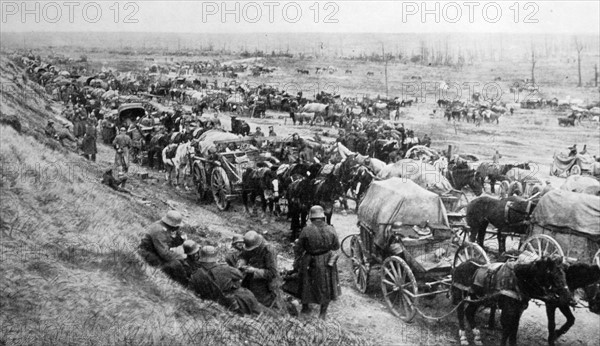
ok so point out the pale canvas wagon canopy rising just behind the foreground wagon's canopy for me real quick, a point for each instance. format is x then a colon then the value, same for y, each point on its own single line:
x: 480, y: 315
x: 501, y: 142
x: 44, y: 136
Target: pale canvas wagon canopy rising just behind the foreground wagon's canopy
x: 424, y: 174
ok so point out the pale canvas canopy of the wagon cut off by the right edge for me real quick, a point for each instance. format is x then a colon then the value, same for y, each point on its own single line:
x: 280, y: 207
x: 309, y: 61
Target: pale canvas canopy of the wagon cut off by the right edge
x: 579, y: 212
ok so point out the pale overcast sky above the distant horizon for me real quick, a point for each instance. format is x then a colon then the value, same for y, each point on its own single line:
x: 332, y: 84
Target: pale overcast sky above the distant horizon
x: 303, y: 16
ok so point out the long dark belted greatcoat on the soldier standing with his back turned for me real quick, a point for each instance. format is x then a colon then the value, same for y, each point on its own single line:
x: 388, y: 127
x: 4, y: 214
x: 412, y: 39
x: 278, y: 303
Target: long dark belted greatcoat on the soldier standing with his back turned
x: 319, y: 282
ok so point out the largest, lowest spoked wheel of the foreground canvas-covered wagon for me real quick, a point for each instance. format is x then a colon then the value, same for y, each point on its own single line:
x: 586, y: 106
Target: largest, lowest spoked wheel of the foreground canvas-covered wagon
x: 399, y: 287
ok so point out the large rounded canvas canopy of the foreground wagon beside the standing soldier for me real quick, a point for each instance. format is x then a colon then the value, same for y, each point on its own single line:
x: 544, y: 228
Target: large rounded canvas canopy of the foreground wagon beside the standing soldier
x: 397, y: 199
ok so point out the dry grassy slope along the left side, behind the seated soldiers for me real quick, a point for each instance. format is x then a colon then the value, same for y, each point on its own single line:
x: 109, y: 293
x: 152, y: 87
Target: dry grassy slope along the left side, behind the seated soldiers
x: 69, y: 271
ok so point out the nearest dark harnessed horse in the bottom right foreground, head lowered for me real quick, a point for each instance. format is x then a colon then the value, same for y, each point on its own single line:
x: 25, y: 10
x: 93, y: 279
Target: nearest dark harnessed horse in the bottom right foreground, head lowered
x: 509, y: 286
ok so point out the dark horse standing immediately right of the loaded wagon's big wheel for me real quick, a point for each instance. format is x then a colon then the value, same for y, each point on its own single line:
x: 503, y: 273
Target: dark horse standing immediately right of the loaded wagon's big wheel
x: 261, y: 181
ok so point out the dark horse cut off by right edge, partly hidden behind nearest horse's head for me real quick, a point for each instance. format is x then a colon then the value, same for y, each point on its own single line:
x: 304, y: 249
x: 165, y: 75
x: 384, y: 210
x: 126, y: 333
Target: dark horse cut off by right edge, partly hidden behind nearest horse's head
x: 578, y: 275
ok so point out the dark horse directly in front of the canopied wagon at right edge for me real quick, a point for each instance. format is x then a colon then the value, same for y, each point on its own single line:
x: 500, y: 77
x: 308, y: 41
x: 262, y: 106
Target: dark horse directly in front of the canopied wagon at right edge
x: 509, y: 214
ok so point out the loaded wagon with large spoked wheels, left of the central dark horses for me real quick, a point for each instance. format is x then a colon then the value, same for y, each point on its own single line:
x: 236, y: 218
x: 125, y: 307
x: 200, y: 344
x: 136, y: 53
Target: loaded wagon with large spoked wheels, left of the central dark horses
x: 219, y: 165
